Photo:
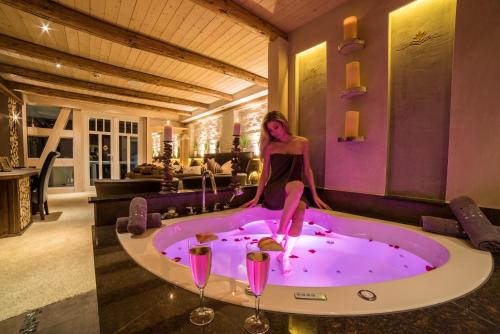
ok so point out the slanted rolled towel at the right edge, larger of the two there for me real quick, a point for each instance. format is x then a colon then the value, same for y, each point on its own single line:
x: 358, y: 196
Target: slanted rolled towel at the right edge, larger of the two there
x: 482, y: 234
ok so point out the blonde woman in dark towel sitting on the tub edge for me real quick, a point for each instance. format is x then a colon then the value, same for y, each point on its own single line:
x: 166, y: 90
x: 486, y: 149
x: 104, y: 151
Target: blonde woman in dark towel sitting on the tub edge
x: 285, y: 158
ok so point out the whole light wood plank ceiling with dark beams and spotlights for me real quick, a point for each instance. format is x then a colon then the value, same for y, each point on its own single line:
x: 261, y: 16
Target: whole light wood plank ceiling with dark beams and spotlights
x: 179, y: 55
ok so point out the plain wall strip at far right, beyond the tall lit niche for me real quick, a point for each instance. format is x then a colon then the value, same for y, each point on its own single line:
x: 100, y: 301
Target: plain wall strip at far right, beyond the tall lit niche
x: 474, y: 153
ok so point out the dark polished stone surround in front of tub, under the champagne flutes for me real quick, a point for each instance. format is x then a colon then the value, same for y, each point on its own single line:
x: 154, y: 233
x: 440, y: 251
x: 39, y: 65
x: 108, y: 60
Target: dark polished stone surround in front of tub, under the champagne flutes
x: 132, y: 300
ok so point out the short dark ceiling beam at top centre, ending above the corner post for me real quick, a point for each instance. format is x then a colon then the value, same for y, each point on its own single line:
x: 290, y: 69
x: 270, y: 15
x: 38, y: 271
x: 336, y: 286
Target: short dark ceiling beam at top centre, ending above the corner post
x: 241, y: 15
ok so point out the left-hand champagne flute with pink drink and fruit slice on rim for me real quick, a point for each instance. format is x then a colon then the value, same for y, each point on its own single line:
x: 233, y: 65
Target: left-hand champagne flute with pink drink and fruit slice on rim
x: 200, y: 257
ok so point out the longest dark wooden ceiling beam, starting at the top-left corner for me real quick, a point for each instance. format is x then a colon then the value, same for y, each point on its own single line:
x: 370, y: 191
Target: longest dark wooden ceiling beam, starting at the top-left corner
x: 63, y: 15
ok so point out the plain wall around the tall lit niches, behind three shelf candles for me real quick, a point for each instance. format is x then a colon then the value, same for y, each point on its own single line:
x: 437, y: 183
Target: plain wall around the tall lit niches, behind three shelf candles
x: 474, y: 154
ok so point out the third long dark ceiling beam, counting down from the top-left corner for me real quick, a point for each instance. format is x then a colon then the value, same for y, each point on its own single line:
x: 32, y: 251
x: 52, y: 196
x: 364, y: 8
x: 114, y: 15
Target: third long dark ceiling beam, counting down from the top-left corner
x: 59, y: 80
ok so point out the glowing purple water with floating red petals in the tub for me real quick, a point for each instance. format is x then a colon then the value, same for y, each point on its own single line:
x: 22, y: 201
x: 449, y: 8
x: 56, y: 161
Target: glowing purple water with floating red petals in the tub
x: 320, y: 258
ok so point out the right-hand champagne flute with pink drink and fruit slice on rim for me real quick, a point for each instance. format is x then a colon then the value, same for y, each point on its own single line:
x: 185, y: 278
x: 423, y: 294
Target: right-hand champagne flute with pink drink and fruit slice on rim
x: 257, y: 263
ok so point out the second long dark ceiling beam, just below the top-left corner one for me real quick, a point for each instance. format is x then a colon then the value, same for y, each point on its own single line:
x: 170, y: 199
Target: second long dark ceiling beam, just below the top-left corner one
x: 65, y: 59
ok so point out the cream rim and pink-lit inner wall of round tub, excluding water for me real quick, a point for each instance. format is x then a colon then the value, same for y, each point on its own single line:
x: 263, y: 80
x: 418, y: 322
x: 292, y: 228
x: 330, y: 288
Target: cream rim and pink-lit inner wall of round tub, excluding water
x: 459, y: 268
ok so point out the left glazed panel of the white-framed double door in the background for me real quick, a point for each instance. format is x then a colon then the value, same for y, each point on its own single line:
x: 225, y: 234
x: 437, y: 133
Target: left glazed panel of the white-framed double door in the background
x: 100, y: 156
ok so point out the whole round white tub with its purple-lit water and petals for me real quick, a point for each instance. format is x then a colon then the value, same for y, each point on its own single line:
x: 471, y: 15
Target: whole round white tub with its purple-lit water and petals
x: 422, y: 269
